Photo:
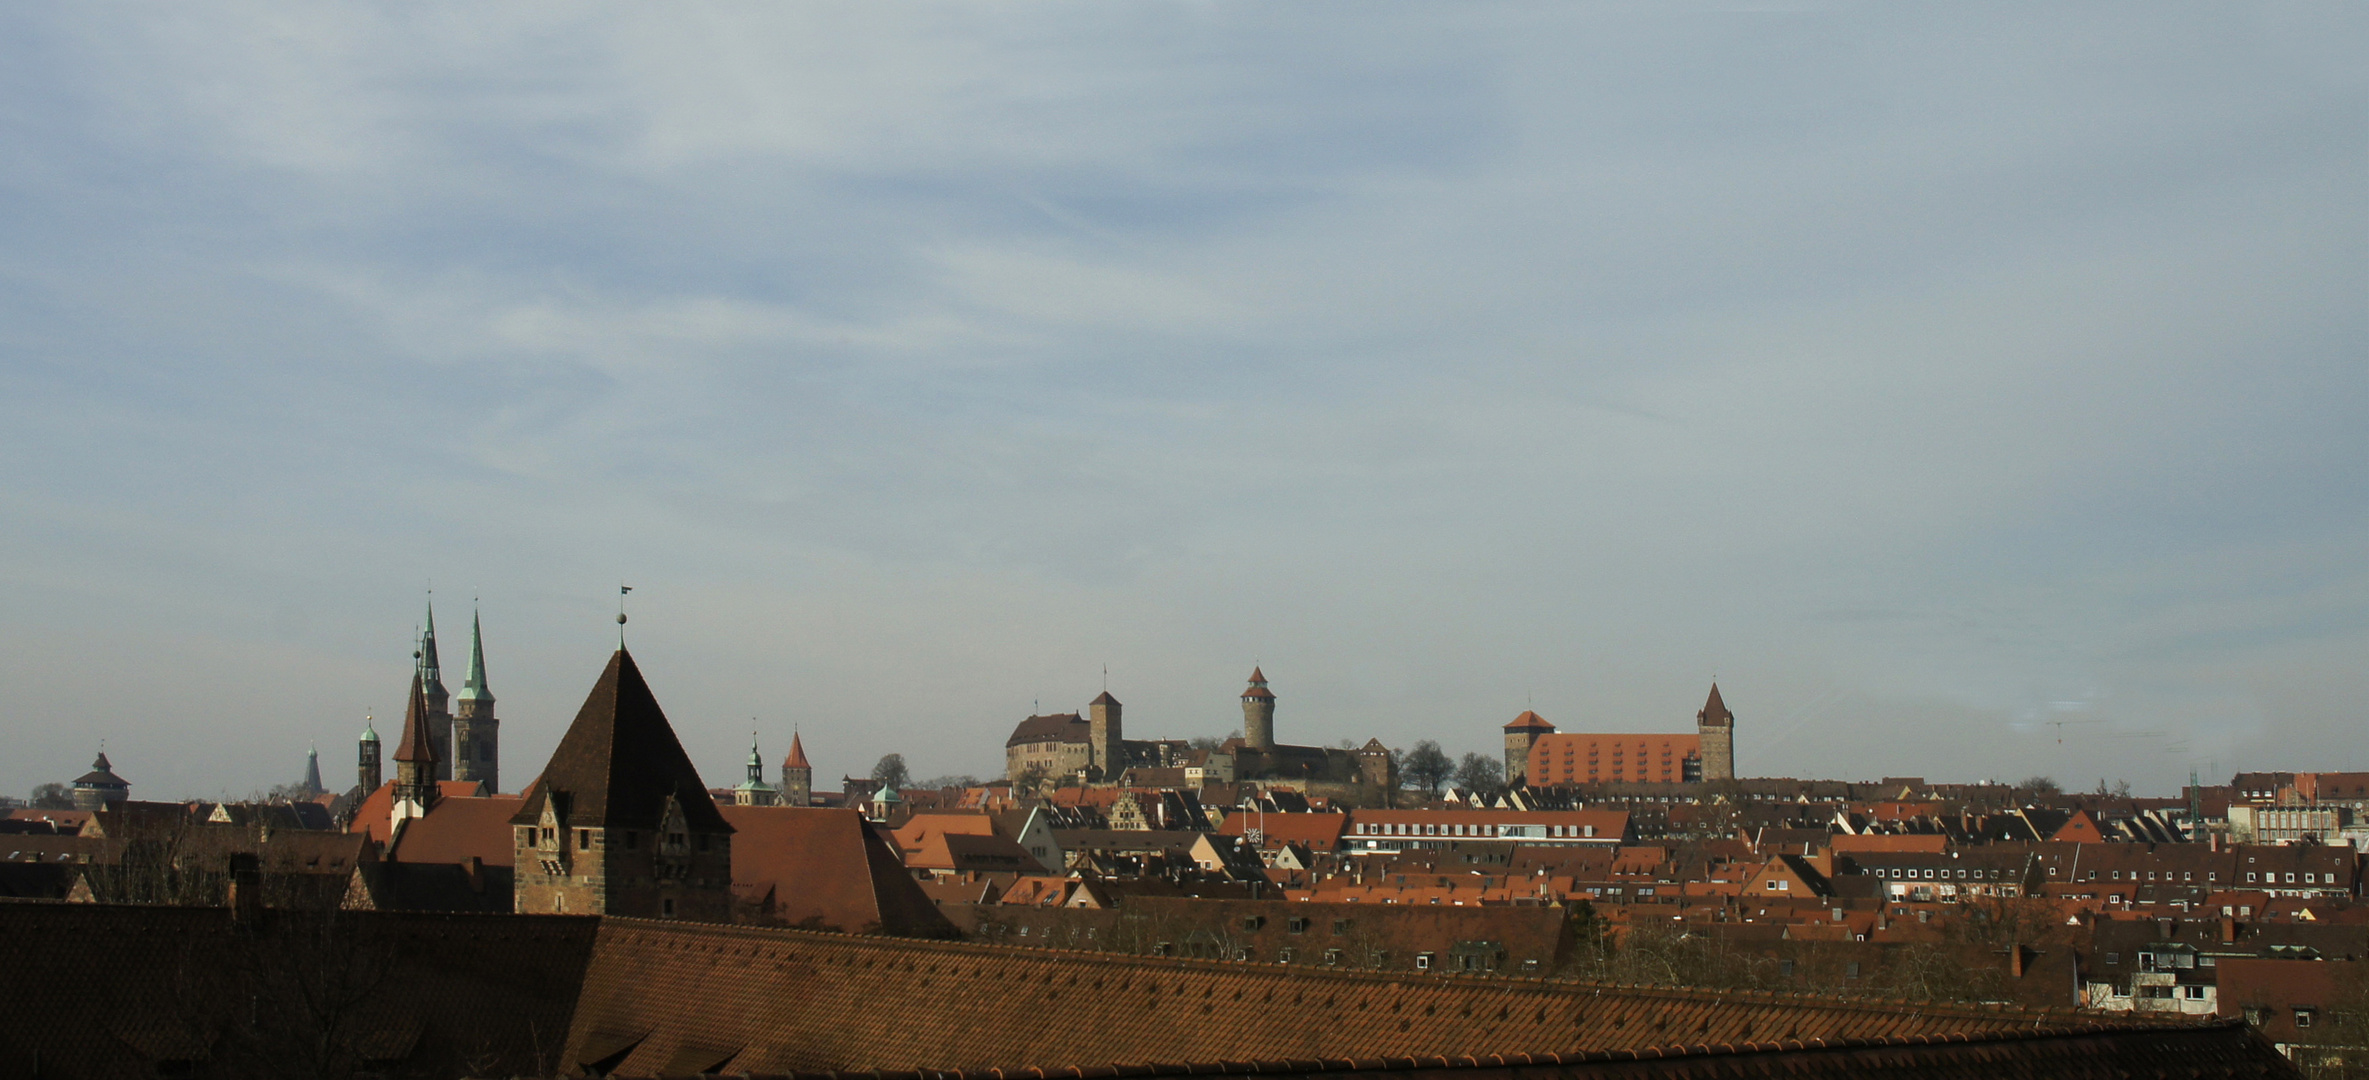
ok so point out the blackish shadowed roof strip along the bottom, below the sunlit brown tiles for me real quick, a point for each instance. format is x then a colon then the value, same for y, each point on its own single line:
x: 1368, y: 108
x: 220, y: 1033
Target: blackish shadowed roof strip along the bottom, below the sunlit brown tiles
x: 2088, y: 1053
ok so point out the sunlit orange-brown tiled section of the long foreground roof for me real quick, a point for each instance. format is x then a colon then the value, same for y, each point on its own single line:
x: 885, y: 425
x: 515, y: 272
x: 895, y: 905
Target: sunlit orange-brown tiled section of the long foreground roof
x: 781, y: 1003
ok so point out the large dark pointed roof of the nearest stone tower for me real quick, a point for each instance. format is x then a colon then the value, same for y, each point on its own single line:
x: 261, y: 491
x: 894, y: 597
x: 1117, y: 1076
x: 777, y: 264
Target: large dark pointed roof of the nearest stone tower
x: 622, y: 761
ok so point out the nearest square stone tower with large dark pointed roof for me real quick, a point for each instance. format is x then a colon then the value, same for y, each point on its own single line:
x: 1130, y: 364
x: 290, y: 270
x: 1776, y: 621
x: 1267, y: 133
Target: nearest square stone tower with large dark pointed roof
x: 619, y: 823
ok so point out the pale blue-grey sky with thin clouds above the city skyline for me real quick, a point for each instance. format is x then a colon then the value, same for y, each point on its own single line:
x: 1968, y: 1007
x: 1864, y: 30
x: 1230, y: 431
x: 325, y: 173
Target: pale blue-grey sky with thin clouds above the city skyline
x: 1975, y: 394
